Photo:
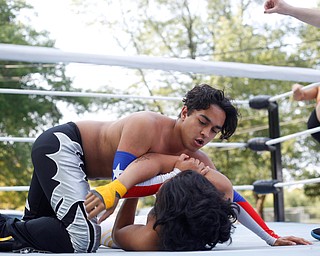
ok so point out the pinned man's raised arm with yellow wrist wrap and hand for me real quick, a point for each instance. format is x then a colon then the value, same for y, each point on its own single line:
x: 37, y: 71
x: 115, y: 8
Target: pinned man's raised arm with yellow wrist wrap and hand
x: 139, y: 170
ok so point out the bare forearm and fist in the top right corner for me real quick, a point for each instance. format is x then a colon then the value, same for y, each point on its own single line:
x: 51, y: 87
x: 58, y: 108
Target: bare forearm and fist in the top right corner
x: 310, y: 16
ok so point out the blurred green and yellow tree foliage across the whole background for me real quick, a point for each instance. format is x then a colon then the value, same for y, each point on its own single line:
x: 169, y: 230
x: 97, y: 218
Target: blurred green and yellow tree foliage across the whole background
x: 211, y: 30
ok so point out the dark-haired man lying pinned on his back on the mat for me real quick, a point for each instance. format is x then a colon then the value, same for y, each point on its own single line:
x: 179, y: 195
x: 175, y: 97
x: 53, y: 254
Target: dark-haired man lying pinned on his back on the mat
x: 189, y: 215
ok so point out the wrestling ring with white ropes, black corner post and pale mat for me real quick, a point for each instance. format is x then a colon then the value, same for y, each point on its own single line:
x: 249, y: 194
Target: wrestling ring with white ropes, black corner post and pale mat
x: 244, y: 242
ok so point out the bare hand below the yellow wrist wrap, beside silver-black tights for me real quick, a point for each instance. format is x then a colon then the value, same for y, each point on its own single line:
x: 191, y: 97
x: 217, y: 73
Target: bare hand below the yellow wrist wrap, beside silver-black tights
x: 94, y: 206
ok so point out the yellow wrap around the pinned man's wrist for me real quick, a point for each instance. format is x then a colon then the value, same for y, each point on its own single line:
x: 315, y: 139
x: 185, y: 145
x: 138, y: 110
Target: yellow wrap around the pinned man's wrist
x: 109, y: 192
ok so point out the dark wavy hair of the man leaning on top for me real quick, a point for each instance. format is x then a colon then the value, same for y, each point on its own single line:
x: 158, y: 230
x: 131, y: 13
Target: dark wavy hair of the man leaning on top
x: 203, y: 96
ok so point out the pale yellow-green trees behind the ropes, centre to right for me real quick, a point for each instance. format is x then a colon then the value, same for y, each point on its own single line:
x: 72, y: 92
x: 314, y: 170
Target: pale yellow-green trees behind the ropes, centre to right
x: 219, y: 31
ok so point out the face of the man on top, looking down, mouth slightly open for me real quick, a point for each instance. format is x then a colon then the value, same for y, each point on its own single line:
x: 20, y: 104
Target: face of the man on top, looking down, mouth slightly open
x: 201, y: 126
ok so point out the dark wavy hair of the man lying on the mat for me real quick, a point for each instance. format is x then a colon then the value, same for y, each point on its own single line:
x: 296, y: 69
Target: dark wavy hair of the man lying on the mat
x: 192, y: 214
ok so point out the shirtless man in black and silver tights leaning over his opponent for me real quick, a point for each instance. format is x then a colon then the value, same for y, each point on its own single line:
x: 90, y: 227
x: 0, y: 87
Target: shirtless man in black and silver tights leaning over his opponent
x: 64, y: 157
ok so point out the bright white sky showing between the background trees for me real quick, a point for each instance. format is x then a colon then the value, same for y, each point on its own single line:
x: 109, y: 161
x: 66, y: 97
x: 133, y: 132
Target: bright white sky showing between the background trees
x: 72, y: 34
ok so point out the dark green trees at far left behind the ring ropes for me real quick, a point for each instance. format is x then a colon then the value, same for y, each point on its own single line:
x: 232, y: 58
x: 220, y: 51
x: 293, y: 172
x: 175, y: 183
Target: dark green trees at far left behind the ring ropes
x: 26, y: 115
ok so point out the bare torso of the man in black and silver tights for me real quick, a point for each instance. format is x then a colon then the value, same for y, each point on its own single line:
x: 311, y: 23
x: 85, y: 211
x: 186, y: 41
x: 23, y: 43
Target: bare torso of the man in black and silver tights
x: 139, y: 133
